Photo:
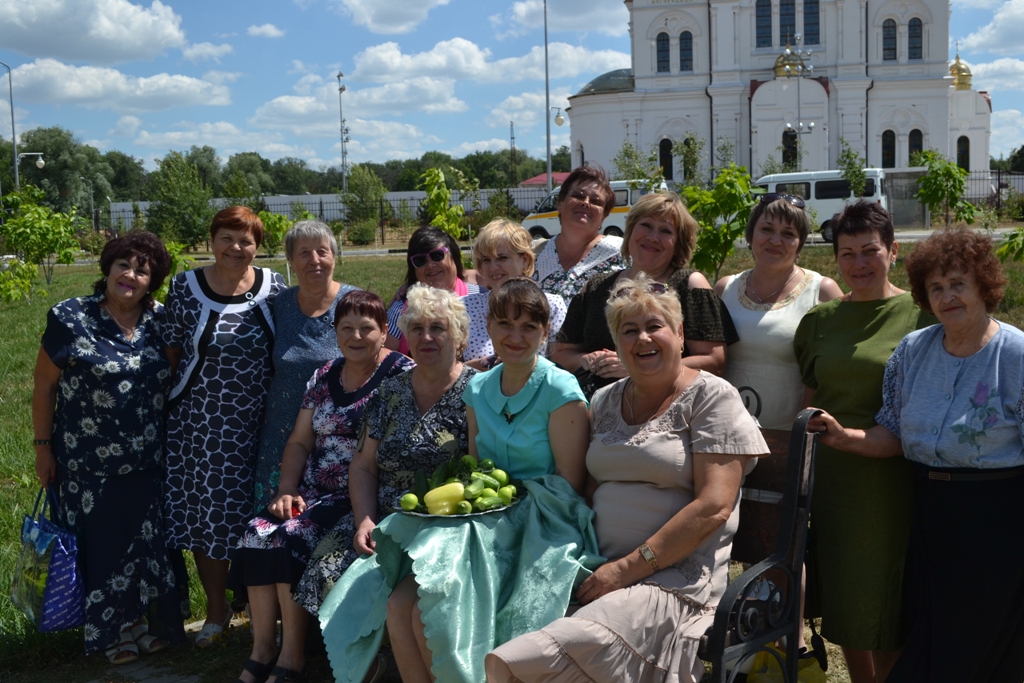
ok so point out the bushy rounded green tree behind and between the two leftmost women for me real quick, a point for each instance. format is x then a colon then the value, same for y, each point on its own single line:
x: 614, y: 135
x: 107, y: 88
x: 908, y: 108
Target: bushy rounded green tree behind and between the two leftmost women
x: 182, y: 203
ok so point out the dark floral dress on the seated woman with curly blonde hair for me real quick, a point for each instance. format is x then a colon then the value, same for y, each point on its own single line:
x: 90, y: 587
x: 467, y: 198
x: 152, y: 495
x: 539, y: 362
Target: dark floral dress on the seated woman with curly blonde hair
x: 409, y: 442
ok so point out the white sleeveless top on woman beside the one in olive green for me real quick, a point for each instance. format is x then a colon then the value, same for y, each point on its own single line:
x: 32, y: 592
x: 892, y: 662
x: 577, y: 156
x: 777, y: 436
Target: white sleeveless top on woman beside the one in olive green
x: 763, y: 359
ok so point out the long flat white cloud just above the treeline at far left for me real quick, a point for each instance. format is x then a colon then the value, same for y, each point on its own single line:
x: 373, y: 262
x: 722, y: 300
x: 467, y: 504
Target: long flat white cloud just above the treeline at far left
x: 49, y: 81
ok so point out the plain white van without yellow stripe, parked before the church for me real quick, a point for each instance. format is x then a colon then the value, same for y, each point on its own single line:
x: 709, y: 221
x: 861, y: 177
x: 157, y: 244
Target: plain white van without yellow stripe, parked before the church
x: 827, y: 192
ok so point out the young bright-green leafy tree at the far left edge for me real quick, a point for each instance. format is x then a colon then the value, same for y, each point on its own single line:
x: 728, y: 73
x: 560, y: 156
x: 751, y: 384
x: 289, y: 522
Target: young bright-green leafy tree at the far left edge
x: 37, y: 235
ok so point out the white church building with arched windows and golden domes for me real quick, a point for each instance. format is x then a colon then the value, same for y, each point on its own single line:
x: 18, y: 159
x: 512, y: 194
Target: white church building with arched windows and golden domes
x: 713, y: 69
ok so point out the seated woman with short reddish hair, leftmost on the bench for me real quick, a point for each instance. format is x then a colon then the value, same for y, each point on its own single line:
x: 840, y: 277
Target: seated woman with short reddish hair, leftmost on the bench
x: 313, y: 494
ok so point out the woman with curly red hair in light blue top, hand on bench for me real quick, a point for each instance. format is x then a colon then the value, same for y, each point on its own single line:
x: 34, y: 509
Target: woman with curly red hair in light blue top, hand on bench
x: 954, y: 407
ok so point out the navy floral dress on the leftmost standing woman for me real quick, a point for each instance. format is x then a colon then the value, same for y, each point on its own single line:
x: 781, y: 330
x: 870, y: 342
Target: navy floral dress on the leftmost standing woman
x: 108, y: 443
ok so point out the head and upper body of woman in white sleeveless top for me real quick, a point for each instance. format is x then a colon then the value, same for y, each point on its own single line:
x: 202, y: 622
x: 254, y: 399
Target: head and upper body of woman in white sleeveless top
x: 767, y: 304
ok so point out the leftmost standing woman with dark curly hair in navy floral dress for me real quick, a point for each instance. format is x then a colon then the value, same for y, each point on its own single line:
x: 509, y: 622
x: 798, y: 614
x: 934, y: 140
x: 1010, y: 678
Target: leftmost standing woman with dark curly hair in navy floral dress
x: 98, y: 409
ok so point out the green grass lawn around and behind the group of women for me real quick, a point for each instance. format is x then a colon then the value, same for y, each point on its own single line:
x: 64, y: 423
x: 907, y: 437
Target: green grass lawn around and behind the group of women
x: 27, y: 656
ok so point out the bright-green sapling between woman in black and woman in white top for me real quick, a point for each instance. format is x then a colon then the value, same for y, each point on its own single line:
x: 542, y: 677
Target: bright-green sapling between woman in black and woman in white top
x: 722, y: 212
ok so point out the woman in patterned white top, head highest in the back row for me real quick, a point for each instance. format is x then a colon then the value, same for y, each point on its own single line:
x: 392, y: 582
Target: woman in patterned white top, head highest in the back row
x: 580, y: 251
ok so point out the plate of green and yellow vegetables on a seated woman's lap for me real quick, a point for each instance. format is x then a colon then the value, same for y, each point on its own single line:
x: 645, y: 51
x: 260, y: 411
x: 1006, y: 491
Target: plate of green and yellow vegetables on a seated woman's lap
x: 461, y: 487
